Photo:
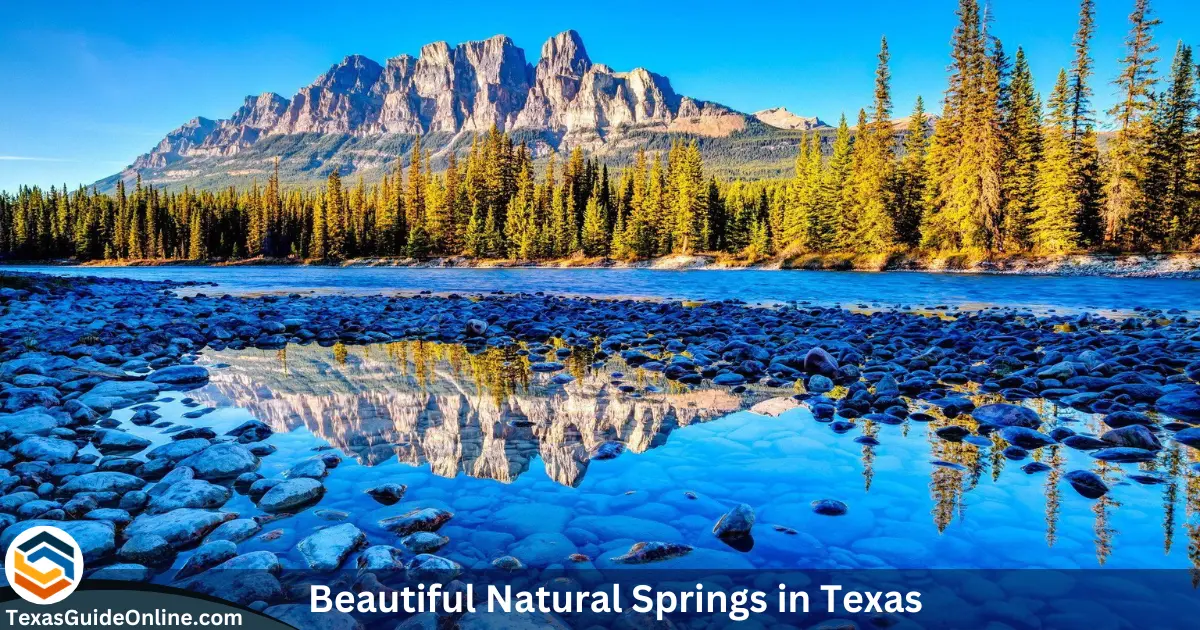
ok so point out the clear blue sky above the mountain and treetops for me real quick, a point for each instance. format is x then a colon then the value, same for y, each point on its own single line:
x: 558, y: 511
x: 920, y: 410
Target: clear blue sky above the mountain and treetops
x: 92, y: 85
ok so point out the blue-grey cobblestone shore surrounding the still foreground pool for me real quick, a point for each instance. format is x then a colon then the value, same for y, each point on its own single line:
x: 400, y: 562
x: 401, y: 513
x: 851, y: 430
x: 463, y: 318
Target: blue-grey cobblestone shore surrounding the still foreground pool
x: 73, y: 351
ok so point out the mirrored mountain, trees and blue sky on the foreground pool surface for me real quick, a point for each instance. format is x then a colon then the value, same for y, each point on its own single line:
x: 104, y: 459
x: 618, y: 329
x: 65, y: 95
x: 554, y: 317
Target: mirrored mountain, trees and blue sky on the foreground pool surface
x: 491, y: 416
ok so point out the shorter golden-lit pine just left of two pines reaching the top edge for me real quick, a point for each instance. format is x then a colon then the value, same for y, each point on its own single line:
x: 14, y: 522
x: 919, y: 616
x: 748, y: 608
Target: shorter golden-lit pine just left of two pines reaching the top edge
x: 1055, y: 217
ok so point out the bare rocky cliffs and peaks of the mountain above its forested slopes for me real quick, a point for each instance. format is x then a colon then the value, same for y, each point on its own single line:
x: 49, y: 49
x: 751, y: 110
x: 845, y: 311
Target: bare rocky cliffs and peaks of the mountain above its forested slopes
x: 566, y: 100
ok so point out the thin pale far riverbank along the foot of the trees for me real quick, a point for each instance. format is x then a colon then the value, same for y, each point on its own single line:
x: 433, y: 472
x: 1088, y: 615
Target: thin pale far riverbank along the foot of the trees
x: 1173, y: 266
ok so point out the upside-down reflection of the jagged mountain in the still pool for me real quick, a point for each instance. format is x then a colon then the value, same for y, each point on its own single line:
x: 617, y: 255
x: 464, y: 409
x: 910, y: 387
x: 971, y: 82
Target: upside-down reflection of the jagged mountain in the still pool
x: 451, y: 412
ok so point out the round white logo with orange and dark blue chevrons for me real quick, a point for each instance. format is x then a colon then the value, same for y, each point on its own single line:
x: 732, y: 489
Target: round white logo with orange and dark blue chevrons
x: 44, y: 565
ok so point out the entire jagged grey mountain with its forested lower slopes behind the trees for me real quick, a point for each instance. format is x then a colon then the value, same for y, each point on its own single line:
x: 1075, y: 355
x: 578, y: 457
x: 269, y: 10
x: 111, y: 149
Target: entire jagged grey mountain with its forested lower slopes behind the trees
x: 361, y: 116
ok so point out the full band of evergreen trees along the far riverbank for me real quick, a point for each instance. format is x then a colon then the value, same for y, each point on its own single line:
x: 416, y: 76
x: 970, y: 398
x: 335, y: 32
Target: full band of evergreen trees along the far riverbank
x: 1001, y: 171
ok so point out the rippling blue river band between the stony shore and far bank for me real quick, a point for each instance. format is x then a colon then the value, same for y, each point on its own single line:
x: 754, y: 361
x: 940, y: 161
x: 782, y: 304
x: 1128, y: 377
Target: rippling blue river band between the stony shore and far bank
x: 1041, y: 293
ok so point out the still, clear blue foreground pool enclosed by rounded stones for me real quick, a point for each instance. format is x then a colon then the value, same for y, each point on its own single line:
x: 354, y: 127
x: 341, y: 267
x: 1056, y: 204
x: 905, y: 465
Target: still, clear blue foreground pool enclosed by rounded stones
x: 509, y: 452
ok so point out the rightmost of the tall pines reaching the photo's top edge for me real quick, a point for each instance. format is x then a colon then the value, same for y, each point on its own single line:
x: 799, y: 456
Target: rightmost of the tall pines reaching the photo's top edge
x: 1129, y: 155
